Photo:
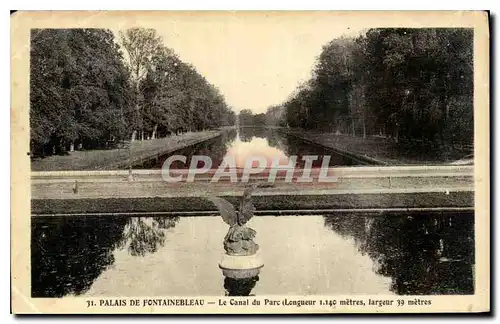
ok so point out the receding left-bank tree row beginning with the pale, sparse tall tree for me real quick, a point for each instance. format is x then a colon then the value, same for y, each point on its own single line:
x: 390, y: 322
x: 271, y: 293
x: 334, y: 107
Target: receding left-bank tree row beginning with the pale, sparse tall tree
x: 170, y: 95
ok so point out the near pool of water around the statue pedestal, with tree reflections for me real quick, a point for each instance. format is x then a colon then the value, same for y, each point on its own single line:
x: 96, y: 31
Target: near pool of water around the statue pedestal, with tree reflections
x: 303, y: 255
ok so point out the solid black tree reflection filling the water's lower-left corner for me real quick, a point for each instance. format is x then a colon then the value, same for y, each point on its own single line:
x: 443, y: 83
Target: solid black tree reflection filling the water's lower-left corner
x: 68, y: 254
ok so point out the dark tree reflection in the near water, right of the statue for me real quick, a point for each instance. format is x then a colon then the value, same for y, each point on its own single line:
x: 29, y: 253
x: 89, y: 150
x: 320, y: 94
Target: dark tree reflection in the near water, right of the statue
x: 423, y: 254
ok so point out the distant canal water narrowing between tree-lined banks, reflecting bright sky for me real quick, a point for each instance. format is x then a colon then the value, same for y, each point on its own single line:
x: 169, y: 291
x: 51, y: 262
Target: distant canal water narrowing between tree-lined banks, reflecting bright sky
x: 246, y: 142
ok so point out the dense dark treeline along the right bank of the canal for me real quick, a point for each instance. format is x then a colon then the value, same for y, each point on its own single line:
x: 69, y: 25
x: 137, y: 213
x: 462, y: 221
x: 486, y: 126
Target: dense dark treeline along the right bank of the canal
x: 408, y: 84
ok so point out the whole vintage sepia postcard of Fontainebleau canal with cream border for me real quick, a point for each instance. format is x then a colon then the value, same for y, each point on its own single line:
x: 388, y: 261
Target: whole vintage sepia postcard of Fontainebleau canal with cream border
x: 234, y: 162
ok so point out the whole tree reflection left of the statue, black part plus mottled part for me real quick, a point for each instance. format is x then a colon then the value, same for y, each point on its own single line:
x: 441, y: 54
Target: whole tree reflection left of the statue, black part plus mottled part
x: 68, y: 254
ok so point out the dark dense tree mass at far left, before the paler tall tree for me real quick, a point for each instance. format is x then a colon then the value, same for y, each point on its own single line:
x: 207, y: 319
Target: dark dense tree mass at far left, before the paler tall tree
x: 79, y: 90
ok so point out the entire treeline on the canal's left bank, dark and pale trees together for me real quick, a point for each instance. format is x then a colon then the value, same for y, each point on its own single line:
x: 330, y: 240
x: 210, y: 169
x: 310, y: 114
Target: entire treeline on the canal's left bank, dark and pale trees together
x: 86, y: 93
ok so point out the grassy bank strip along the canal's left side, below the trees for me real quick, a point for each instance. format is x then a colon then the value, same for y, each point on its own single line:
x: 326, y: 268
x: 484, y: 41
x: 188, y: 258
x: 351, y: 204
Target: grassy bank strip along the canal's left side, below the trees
x: 119, y: 158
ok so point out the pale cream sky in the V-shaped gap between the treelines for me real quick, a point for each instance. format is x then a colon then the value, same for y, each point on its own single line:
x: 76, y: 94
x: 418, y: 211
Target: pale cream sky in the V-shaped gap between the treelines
x: 257, y: 59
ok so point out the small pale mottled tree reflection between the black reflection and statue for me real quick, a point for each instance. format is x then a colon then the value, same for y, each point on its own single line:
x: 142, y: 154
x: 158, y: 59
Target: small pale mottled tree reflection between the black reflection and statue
x: 144, y: 235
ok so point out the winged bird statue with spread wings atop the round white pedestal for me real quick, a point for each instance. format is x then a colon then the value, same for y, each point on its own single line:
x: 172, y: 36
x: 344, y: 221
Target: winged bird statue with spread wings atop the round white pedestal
x: 239, y: 239
